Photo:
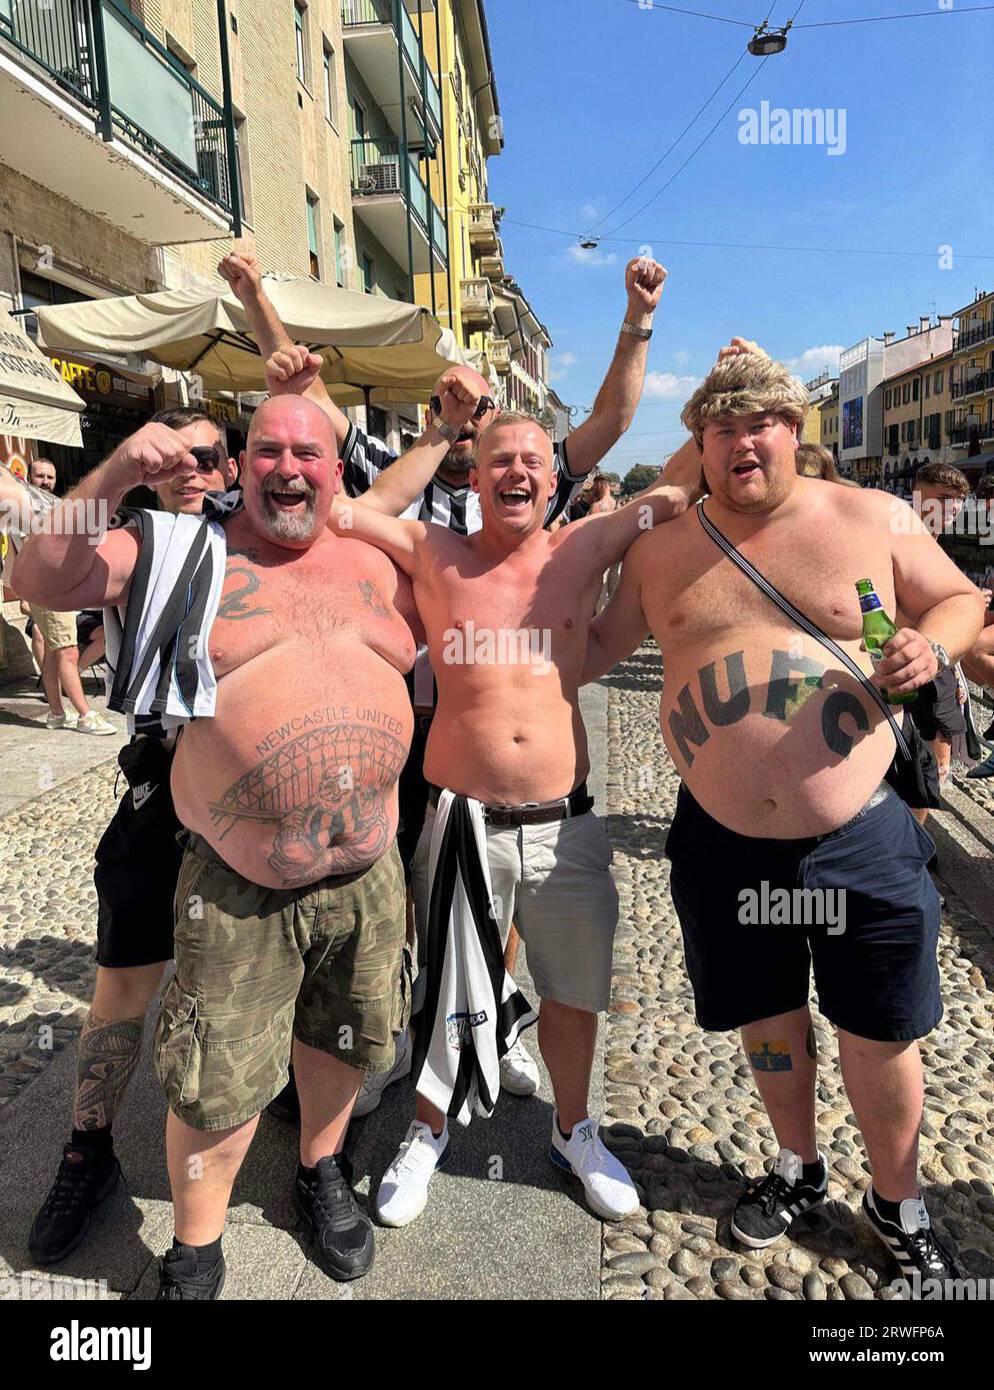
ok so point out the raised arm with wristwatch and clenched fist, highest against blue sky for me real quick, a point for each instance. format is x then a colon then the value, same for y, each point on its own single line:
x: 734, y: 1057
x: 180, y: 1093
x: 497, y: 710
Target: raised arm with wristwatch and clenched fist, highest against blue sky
x: 622, y: 389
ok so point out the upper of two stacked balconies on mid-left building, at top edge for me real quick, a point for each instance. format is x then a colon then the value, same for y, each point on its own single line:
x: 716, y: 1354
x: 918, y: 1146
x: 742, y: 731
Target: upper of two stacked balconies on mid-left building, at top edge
x: 377, y: 34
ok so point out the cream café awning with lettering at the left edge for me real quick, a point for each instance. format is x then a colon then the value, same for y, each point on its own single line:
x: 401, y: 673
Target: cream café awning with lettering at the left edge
x: 35, y: 402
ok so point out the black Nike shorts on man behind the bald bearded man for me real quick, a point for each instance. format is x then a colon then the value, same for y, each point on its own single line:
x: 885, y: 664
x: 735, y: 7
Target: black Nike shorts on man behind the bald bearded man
x: 138, y: 862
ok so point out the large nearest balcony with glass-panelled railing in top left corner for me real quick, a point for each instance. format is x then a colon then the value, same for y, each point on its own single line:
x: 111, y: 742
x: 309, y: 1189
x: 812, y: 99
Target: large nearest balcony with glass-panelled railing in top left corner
x: 97, y: 111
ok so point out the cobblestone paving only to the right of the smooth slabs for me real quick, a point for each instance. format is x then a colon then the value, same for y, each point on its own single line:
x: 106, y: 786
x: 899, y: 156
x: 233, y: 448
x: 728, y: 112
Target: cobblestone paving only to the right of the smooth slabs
x: 682, y: 1109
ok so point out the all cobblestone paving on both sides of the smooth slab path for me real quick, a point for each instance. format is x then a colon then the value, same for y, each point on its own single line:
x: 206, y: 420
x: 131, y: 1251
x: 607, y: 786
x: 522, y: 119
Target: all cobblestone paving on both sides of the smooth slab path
x: 681, y: 1106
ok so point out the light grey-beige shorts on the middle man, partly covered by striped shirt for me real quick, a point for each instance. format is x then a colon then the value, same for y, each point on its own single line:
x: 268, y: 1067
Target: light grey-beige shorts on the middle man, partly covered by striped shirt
x: 554, y: 883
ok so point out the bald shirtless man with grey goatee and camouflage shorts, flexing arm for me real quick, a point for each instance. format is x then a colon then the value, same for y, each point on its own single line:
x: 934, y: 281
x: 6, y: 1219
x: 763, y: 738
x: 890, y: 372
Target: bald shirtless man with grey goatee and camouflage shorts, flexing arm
x: 291, y: 919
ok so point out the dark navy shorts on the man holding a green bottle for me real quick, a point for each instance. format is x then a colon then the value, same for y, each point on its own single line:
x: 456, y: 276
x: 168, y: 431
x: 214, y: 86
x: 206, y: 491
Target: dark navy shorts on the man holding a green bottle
x: 877, y: 978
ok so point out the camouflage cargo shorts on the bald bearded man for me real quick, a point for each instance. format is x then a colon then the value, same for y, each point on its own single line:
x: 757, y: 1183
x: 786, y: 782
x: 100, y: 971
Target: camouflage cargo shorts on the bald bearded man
x: 261, y: 967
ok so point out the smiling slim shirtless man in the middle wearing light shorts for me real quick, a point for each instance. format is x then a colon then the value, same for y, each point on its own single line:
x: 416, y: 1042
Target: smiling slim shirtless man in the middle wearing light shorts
x: 510, y: 735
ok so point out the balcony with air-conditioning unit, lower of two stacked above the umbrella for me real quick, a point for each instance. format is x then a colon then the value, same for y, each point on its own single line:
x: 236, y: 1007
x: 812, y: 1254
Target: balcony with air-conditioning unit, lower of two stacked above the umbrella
x: 389, y: 194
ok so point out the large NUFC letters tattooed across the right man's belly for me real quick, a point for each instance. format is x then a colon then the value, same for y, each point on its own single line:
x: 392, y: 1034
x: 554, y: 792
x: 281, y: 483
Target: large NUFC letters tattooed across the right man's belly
x: 793, y: 680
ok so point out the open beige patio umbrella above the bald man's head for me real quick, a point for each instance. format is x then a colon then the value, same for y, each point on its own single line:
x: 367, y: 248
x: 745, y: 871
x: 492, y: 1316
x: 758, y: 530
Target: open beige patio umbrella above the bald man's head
x: 375, y: 350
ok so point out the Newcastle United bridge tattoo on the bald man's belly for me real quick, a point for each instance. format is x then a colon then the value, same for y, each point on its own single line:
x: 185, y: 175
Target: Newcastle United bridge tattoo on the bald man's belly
x: 327, y: 794
